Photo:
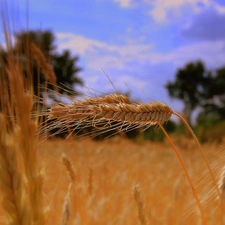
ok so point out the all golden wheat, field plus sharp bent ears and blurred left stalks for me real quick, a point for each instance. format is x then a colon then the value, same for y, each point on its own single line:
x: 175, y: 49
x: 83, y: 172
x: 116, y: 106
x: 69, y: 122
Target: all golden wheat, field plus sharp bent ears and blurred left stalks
x: 79, y: 181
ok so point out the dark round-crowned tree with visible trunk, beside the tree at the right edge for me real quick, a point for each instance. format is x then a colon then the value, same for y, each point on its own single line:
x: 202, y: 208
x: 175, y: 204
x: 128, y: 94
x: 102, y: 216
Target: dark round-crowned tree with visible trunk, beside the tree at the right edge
x: 189, y: 85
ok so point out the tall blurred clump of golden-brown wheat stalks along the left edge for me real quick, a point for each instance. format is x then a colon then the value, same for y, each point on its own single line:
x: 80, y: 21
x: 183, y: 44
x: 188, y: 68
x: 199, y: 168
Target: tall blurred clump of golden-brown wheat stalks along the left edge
x: 21, y: 176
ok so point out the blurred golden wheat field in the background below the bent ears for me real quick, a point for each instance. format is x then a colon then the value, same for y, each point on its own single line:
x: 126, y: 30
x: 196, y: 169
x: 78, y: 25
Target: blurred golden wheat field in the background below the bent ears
x: 107, y: 174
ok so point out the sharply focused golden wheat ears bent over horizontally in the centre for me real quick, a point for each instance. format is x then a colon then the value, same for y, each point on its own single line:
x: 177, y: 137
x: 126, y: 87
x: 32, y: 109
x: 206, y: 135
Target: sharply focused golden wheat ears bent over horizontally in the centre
x: 112, y: 108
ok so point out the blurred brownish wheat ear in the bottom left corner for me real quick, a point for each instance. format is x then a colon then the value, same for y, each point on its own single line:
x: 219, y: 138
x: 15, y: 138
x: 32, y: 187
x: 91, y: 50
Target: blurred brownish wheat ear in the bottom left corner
x: 11, y: 181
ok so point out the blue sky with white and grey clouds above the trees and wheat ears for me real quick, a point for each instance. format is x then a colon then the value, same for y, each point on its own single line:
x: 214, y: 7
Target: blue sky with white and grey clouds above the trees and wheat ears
x: 140, y: 44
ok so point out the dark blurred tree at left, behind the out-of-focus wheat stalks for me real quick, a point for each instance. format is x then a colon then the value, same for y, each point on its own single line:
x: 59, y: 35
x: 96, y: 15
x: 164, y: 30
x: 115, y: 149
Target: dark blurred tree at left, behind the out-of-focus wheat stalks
x: 63, y: 64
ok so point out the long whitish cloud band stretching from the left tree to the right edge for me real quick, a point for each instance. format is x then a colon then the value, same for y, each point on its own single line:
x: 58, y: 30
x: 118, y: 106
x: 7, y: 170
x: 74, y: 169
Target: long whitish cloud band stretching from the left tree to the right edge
x: 131, y: 56
